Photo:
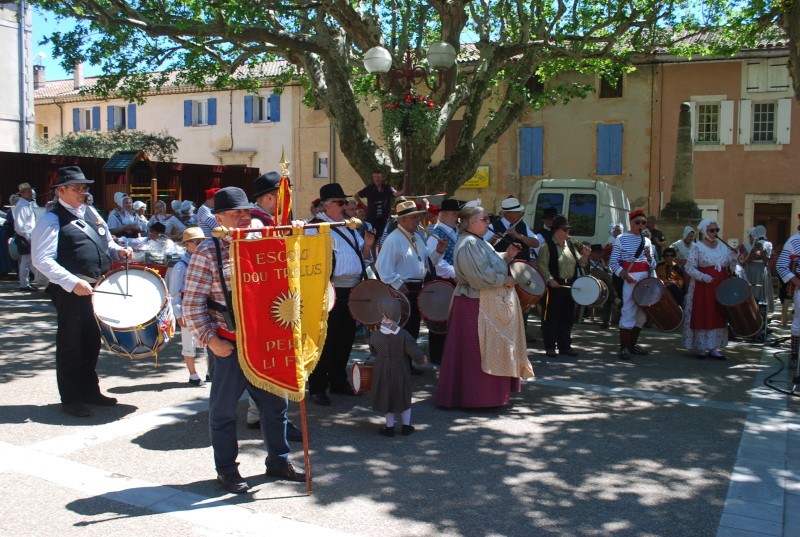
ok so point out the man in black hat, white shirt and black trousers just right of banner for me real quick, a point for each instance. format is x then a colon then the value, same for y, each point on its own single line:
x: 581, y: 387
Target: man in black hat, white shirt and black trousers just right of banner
x: 351, y: 255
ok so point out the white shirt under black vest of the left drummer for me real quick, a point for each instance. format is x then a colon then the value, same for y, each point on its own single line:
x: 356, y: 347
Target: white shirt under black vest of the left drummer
x: 44, y: 245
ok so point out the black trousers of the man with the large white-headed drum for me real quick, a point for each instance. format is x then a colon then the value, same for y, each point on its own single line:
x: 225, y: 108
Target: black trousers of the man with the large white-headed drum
x: 77, y: 346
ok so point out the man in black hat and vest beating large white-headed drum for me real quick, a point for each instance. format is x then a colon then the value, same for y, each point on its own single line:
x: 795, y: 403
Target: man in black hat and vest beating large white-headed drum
x: 72, y: 247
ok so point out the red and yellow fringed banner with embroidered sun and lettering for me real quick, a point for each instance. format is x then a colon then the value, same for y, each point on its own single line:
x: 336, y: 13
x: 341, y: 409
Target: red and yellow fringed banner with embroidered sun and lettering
x: 280, y: 298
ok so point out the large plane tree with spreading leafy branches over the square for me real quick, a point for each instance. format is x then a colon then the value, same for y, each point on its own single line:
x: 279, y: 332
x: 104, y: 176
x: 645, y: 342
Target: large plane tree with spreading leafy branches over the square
x: 506, y: 50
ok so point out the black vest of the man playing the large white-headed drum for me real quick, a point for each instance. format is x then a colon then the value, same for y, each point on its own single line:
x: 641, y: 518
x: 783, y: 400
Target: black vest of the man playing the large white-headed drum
x: 76, y: 252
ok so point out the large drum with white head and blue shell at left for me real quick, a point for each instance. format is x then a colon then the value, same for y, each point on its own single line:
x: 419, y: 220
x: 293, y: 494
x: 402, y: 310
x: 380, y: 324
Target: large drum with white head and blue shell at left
x: 133, y: 311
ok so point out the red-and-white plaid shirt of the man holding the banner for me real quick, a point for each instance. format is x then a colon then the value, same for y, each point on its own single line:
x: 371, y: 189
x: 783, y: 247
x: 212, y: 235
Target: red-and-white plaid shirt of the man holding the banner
x: 202, y: 283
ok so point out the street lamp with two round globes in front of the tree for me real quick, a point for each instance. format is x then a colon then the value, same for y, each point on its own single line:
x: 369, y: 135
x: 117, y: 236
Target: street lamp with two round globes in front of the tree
x: 378, y: 61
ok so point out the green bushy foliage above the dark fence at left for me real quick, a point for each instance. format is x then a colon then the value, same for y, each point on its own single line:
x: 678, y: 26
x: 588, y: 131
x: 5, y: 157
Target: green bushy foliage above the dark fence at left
x: 160, y: 147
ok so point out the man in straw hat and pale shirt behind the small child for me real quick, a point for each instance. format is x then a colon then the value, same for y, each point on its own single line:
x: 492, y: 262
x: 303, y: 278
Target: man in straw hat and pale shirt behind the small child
x: 403, y: 261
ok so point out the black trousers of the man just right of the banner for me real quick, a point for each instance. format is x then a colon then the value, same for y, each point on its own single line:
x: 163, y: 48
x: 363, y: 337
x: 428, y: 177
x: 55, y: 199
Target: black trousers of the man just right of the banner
x: 331, y: 370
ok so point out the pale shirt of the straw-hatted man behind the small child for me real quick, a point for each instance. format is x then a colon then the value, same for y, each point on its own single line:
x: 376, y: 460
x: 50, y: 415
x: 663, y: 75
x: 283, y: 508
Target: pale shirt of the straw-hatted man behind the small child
x: 399, y: 260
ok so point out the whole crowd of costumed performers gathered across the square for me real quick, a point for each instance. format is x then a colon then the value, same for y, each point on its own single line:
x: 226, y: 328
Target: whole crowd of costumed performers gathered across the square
x: 482, y: 354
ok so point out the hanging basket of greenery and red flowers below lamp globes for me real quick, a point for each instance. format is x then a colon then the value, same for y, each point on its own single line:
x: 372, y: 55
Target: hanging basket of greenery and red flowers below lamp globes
x: 412, y: 116
